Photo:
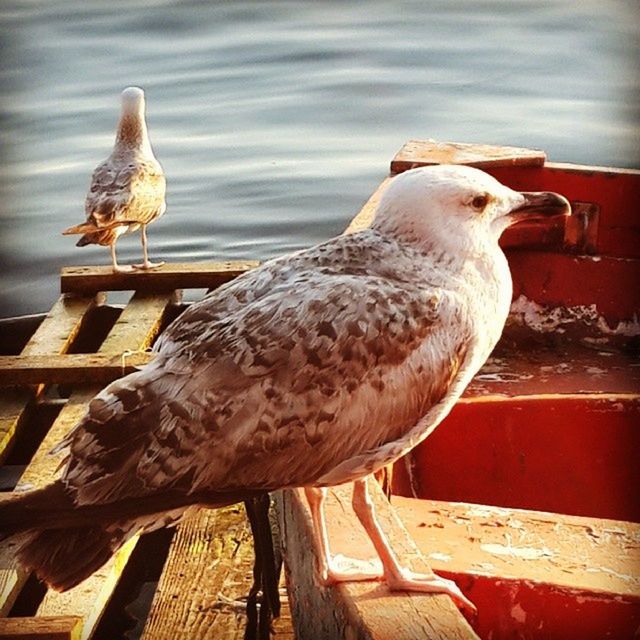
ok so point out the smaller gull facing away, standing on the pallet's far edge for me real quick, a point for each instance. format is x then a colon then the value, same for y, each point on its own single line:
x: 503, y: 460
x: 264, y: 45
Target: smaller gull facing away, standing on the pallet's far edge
x: 127, y: 189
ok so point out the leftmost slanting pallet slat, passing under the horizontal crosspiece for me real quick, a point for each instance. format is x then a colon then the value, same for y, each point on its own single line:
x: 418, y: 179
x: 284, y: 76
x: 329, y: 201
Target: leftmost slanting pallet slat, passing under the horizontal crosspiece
x: 55, y: 335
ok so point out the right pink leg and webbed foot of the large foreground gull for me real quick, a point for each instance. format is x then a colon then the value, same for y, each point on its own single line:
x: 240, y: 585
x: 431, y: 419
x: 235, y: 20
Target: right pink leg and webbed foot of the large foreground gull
x: 399, y: 578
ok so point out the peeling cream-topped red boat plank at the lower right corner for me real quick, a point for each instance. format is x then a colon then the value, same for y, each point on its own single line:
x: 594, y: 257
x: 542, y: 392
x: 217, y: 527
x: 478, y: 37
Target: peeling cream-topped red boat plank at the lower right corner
x: 537, y: 565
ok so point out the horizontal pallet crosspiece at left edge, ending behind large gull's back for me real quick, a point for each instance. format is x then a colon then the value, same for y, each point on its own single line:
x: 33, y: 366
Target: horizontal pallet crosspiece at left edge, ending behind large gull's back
x: 69, y: 368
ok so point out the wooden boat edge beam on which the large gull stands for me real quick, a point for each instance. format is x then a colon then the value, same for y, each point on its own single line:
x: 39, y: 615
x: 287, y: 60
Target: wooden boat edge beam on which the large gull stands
x: 362, y: 610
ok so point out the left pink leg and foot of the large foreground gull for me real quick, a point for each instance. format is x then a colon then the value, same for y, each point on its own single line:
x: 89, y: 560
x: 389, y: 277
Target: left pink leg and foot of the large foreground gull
x: 338, y: 568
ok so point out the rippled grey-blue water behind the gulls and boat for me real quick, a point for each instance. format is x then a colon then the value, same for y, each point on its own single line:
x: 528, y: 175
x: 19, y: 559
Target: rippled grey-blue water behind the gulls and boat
x: 275, y: 120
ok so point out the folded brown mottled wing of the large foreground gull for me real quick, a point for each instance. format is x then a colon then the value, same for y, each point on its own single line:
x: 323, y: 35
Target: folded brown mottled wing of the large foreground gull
x: 276, y: 394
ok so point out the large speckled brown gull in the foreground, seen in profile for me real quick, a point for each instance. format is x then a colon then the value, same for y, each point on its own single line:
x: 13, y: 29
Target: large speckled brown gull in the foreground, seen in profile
x: 312, y: 370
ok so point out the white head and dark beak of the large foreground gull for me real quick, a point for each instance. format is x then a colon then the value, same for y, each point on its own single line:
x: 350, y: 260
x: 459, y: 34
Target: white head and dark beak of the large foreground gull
x: 457, y: 208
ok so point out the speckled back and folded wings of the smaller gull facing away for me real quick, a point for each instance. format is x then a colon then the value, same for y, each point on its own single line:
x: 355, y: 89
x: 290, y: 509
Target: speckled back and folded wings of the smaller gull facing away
x: 125, y: 193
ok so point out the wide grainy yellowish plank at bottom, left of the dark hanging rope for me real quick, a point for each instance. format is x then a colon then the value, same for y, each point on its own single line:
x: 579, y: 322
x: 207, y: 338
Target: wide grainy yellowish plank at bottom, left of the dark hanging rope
x: 208, y: 569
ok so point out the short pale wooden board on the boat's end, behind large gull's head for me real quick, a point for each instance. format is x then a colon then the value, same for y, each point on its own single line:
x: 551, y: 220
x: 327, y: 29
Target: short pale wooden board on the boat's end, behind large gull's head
x: 417, y: 153
